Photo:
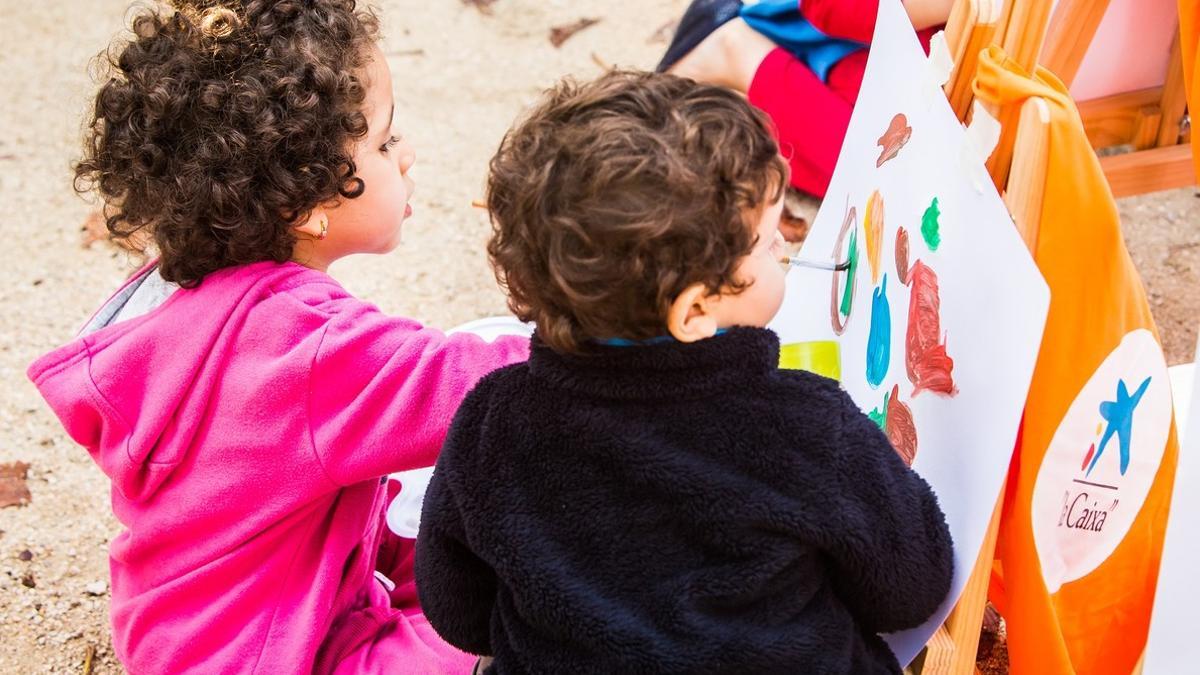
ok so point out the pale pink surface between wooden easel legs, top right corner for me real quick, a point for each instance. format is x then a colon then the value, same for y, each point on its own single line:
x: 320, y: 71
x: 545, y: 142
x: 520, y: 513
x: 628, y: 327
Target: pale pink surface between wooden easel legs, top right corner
x: 1131, y: 51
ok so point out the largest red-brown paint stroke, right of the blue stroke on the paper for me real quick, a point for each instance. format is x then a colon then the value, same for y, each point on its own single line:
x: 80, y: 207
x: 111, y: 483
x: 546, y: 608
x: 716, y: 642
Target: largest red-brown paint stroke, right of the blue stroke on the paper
x: 929, y: 367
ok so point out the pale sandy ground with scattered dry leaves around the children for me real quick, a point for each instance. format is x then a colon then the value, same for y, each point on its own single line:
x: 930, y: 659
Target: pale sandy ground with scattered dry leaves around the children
x: 461, y: 77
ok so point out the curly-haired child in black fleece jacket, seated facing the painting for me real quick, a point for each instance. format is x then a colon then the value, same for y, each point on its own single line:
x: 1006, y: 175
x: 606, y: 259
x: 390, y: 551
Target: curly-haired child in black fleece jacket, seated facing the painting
x: 650, y: 493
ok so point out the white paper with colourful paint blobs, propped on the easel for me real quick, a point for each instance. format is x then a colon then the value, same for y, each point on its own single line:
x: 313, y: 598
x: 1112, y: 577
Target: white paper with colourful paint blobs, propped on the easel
x: 940, y: 310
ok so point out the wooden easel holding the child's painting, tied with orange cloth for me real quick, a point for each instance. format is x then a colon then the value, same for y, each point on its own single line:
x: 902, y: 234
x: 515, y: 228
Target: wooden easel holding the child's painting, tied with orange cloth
x: 1019, y: 168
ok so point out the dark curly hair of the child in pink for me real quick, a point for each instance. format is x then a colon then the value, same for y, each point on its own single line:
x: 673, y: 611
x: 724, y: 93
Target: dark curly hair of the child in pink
x: 225, y: 122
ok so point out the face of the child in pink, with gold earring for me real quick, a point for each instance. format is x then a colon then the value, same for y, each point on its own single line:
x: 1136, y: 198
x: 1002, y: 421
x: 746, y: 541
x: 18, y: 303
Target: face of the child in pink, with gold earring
x: 371, y: 223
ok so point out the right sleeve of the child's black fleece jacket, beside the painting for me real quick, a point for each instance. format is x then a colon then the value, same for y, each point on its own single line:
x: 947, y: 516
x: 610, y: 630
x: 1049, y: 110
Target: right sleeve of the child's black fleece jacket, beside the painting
x: 891, y: 546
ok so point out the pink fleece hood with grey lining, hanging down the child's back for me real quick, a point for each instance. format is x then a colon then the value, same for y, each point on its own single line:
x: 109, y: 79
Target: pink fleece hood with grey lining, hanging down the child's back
x: 134, y: 392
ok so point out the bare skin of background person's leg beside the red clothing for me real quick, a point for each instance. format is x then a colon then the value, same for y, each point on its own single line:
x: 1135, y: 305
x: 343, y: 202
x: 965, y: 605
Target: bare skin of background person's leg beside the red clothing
x: 729, y: 57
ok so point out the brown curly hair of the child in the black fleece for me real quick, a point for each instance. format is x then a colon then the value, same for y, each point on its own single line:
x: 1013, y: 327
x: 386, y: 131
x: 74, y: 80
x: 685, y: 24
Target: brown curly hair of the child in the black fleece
x: 611, y: 199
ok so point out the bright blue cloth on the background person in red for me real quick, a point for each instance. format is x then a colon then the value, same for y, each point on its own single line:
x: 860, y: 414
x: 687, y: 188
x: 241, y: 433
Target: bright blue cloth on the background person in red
x: 783, y: 23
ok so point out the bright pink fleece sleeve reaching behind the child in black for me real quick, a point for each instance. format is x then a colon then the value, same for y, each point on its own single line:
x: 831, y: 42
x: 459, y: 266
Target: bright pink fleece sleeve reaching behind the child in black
x: 385, y: 390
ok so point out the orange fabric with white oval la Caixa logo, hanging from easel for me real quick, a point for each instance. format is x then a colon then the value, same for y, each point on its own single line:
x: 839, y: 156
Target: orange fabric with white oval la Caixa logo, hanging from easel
x: 1081, y: 541
